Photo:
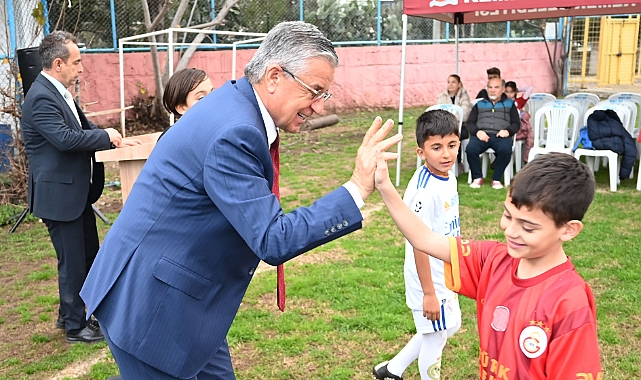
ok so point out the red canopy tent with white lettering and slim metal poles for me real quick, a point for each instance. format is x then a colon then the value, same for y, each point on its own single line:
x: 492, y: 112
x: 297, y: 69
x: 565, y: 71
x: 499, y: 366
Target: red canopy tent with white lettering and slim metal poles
x: 478, y: 11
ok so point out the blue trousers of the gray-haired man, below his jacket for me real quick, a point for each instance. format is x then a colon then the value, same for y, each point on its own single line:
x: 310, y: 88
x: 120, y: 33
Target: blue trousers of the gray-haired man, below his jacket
x: 131, y: 368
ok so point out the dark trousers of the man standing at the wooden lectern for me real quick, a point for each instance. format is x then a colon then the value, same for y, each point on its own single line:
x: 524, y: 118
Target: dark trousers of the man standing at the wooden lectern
x: 76, y: 244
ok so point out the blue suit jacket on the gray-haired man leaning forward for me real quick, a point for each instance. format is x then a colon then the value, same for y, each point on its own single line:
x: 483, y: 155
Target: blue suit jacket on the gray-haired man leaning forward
x: 173, y: 269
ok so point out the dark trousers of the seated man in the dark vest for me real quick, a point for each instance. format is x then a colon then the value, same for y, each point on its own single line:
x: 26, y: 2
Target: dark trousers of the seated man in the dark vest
x: 503, y: 150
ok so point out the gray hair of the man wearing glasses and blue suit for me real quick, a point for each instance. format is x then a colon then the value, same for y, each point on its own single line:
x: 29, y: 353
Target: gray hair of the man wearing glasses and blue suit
x: 290, y: 44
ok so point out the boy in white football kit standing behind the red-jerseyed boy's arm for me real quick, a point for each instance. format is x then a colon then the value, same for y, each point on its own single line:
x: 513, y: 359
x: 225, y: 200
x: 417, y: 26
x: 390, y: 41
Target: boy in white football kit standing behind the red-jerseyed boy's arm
x: 432, y: 195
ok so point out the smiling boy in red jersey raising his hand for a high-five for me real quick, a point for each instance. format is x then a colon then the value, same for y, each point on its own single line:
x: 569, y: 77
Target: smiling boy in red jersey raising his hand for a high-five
x: 536, y: 314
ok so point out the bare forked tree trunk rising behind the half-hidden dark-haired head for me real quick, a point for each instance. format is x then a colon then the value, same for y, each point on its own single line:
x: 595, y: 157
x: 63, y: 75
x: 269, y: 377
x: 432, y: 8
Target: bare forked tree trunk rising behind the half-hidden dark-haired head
x: 161, y: 76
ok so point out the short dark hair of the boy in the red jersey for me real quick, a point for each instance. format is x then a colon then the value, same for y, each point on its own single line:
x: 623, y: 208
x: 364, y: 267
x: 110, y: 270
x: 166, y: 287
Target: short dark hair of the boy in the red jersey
x: 556, y: 183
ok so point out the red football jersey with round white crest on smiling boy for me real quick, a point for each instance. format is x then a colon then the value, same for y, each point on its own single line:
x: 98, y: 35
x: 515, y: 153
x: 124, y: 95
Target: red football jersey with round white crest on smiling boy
x: 537, y: 328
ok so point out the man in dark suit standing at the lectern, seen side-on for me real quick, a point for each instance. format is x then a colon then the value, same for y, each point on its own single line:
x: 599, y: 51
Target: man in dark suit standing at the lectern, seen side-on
x: 64, y: 179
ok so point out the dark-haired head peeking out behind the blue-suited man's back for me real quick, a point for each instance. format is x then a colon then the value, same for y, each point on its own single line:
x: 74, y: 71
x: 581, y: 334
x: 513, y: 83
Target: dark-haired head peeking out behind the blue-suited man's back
x: 184, y: 89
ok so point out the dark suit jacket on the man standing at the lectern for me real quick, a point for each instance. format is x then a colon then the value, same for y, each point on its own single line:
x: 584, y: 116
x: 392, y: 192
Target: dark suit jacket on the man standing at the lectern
x: 60, y: 152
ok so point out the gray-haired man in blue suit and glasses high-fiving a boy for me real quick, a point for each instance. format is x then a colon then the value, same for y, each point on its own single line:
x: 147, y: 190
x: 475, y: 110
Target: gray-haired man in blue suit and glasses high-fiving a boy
x: 173, y: 269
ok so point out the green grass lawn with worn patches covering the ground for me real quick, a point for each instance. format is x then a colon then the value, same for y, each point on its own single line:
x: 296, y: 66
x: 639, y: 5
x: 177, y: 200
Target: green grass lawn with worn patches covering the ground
x: 346, y: 304
